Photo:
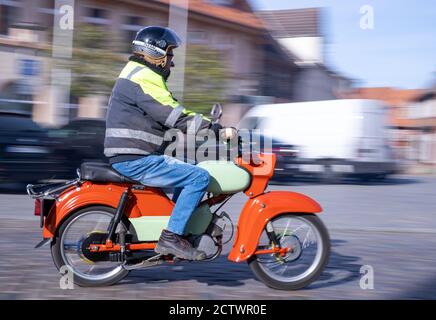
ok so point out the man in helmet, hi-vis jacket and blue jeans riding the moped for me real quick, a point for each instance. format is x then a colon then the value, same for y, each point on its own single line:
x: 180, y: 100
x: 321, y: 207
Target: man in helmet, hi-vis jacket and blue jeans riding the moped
x: 141, y: 109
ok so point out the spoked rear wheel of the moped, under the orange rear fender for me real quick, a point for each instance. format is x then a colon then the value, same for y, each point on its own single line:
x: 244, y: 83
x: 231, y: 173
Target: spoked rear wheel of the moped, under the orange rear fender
x: 67, y: 247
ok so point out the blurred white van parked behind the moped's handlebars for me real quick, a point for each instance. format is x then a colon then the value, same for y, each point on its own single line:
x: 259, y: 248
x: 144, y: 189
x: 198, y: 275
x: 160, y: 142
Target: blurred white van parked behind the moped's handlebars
x: 345, y: 137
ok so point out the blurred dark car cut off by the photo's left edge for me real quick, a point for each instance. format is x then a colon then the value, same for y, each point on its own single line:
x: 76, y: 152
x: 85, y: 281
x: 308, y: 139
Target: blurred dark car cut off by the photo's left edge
x: 26, y: 152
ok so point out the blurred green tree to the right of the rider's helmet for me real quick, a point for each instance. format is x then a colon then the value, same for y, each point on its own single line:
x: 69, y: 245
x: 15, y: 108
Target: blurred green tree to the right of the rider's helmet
x: 206, y: 78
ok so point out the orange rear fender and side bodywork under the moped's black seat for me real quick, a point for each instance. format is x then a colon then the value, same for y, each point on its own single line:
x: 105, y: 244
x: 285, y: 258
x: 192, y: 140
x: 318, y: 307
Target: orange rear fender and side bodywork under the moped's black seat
x: 150, y: 202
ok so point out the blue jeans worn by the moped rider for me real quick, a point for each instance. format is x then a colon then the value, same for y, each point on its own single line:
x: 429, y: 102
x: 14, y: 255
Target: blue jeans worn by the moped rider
x: 162, y: 171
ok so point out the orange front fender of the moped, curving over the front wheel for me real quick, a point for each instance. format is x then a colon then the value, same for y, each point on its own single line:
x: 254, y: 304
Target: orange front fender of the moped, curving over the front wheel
x: 258, y: 211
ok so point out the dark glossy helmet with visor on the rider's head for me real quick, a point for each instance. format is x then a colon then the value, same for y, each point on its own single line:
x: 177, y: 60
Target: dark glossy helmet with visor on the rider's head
x: 153, y: 43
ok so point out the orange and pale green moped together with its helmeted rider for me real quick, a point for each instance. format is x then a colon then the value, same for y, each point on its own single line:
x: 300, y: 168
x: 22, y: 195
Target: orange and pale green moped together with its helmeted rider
x: 111, y: 219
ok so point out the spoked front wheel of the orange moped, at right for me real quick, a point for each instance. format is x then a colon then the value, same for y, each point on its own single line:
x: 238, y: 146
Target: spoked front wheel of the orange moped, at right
x: 309, y: 249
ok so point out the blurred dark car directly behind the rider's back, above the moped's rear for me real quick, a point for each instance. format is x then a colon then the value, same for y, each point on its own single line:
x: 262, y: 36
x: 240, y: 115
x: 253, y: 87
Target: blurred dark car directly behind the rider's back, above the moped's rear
x: 78, y: 141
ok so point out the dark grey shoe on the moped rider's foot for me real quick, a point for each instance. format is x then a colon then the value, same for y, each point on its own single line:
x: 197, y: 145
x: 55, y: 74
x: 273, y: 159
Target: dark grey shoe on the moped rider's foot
x: 171, y: 243
